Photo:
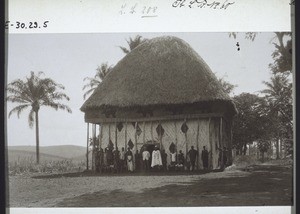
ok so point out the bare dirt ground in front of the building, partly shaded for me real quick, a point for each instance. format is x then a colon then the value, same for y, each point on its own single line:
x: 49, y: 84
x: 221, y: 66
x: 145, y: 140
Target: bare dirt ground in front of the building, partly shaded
x: 262, y: 185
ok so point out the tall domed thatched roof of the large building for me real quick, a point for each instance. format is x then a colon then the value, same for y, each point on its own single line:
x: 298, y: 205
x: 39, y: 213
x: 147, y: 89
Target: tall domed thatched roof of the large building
x: 161, y: 71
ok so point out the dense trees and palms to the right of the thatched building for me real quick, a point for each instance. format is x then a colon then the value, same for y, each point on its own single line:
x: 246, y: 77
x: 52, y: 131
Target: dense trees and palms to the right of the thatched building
x: 269, y: 117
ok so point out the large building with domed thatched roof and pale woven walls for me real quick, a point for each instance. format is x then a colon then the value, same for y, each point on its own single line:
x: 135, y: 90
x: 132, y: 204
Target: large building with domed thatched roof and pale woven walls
x: 163, y: 81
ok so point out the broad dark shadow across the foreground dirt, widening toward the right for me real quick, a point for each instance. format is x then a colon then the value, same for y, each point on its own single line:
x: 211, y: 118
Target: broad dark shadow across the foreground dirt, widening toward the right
x: 265, y: 185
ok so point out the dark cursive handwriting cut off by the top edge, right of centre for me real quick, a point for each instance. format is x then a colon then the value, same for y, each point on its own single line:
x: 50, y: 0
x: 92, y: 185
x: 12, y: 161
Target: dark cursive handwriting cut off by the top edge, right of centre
x: 202, y: 4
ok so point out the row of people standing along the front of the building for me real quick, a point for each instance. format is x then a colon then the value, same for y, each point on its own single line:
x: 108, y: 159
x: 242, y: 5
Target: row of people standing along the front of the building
x: 113, y: 160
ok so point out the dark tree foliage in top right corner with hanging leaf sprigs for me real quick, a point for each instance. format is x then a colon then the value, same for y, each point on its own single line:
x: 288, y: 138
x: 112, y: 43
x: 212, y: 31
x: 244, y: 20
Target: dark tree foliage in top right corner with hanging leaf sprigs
x: 282, y: 54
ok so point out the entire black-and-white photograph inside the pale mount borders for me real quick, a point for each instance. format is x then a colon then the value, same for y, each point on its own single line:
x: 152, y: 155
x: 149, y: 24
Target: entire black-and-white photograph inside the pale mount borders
x: 162, y: 119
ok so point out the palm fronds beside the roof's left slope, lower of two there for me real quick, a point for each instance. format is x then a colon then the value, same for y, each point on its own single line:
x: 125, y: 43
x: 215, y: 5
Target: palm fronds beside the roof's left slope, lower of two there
x: 93, y: 83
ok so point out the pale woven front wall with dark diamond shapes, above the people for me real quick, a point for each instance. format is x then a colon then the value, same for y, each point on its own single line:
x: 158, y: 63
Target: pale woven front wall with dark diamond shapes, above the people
x: 208, y: 136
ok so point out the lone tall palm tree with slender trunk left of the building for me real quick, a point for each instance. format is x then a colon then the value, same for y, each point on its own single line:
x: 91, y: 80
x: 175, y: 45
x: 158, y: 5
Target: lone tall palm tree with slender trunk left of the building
x: 35, y: 92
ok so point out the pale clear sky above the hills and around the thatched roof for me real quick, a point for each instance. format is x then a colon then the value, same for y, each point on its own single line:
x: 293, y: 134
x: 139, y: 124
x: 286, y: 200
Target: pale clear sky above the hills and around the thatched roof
x: 69, y: 58
